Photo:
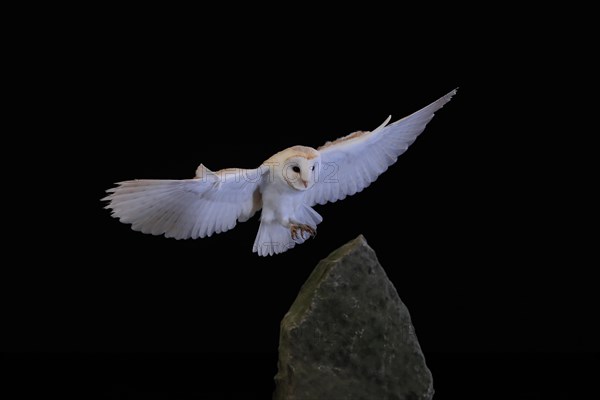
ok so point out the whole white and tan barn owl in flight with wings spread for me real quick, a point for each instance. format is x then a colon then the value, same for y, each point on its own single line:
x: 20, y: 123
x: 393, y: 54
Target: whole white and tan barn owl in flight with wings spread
x: 285, y: 188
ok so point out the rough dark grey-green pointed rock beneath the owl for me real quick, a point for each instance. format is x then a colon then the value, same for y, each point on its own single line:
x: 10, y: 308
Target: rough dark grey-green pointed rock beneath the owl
x: 349, y: 336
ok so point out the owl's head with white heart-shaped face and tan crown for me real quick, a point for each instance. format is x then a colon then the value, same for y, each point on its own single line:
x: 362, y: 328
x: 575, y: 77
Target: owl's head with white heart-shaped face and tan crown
x: 299, y: 167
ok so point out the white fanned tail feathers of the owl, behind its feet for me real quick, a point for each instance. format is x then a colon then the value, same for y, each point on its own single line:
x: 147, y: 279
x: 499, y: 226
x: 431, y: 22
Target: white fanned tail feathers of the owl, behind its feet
x: 274, y: 238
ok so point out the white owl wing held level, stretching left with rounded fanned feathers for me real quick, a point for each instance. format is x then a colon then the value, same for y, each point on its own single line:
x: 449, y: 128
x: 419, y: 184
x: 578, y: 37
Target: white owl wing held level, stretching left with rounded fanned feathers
x: 210, y: 203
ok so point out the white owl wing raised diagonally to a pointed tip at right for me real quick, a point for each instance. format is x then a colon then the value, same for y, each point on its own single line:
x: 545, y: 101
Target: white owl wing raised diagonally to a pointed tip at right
x: 351, y: 163
